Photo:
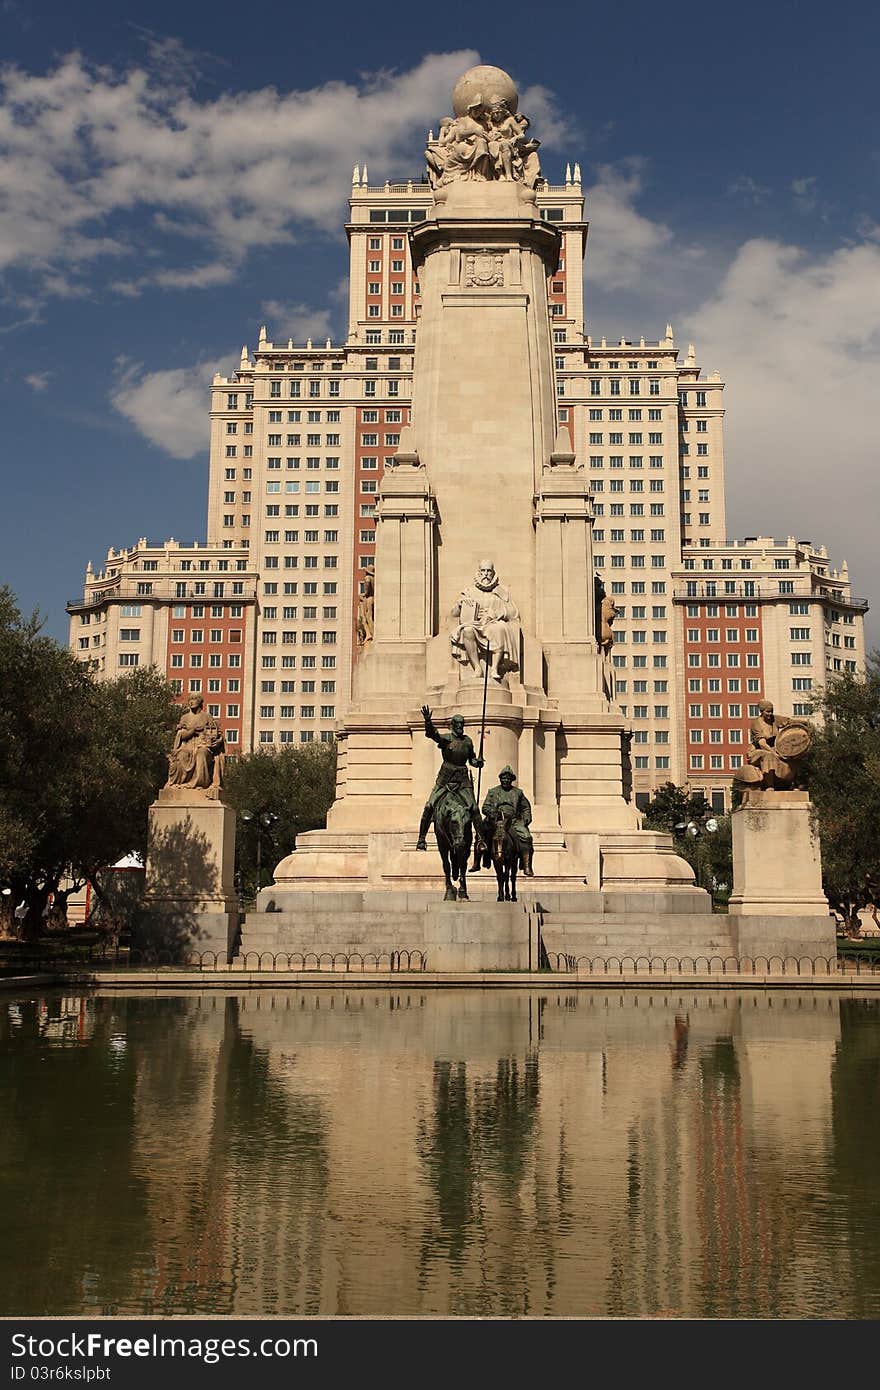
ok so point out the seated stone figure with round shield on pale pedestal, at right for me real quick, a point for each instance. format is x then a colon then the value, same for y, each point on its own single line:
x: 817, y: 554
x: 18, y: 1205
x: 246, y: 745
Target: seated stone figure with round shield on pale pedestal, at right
x: 778, y: 903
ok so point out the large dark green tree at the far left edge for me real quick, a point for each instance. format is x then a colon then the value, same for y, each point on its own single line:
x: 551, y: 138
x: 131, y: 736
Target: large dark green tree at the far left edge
x: 80, y: 764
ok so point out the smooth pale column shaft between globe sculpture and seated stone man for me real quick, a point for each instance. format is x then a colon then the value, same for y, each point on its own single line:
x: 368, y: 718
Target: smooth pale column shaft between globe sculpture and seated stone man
x: 483, y: 391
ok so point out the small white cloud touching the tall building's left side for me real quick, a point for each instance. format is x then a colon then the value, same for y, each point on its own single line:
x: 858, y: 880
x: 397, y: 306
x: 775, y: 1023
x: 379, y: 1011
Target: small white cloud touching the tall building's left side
x: 170, y: 408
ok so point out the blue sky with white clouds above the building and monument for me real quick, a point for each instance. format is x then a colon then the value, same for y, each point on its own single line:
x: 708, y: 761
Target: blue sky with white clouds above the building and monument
x: 174, y: 176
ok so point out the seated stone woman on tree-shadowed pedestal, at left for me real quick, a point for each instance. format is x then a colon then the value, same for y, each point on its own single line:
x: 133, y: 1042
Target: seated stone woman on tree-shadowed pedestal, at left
x: 191, y: 844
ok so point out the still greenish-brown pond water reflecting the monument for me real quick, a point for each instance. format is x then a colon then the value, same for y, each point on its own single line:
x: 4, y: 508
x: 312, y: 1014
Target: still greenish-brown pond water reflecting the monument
x: 418, y: 1152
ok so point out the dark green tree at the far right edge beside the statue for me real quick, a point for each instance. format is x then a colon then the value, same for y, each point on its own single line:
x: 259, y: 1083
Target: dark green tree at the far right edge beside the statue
x: 843, y: 775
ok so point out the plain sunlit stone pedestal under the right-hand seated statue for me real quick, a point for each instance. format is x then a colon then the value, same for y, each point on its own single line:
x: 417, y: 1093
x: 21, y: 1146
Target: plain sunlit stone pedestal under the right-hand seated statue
x: 778, y: 900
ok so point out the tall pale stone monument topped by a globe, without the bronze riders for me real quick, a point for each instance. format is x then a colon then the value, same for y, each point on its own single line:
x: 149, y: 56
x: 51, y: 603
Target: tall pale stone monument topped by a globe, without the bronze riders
x: 484, y: 553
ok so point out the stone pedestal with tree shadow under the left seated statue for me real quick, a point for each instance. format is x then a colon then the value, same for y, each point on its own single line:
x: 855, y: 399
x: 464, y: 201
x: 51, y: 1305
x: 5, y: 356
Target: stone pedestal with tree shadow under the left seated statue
x: 190, y: 875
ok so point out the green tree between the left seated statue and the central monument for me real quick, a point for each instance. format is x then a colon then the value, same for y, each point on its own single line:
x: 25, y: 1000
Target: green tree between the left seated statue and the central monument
x: 294, y: 785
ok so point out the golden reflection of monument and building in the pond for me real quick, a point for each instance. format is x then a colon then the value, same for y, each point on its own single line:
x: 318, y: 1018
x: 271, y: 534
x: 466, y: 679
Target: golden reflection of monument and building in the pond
x: 372, y: 1153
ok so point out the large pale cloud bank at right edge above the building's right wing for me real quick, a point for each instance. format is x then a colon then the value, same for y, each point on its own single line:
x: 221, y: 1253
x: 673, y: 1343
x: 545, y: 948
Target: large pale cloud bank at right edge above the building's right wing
x: 797, y: 341
